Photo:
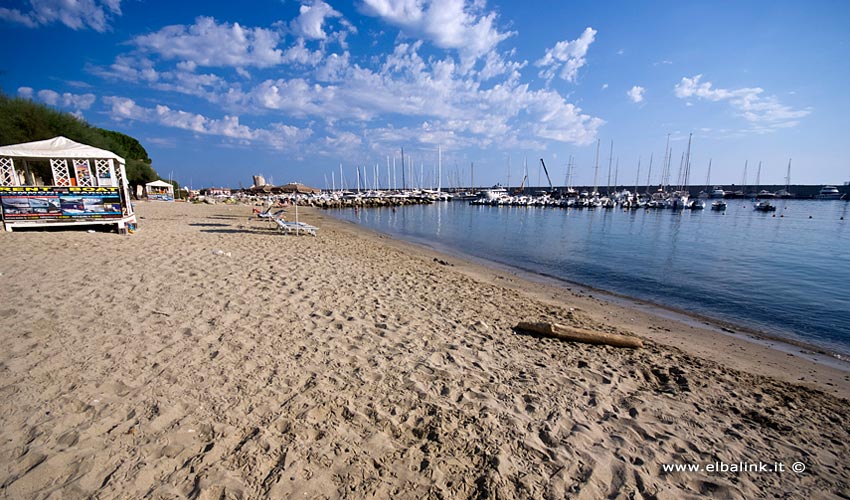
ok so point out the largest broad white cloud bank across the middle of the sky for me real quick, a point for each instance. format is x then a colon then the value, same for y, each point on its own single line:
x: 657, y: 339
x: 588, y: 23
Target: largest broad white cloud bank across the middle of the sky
x: 436, y: 91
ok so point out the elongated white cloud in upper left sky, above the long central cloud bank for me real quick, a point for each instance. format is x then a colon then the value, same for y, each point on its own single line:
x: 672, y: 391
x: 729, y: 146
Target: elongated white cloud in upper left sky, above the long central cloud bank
x: 207, y: 43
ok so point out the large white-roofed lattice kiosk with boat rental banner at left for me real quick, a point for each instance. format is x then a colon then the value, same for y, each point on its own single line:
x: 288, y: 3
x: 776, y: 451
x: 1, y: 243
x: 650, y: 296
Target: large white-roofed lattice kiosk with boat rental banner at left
x: 88, y: 186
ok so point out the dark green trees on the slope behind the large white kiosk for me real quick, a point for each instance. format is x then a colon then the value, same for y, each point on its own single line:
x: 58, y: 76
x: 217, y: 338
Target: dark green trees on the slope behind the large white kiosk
x: 22, y: 120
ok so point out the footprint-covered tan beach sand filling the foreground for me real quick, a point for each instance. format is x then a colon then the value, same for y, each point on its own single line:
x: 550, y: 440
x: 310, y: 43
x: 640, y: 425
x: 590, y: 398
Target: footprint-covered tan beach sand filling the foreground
x: 210, y: 357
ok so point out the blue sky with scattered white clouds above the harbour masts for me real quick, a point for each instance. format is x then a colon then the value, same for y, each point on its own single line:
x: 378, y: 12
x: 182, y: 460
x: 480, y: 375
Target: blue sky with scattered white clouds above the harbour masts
x: 220, y: 91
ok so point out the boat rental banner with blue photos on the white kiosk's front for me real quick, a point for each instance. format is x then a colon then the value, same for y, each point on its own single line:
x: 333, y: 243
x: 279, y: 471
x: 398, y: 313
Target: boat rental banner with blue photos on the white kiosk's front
x: 59, y: 202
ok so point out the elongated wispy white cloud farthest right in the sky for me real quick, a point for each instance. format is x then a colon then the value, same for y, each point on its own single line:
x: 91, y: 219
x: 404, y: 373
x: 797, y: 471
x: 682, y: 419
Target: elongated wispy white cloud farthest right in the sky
x: 763, y: 112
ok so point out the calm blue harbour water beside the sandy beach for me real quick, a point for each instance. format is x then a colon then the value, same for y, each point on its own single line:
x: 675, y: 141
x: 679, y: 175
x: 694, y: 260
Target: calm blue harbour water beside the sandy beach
x: 785, y: 273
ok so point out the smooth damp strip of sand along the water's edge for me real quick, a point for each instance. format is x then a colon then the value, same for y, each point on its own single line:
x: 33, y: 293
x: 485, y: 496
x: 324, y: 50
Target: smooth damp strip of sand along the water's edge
x: 834, y: 378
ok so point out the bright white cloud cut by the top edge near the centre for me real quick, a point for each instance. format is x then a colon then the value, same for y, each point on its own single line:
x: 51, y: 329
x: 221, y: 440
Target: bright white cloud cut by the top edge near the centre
x: 449, y: 24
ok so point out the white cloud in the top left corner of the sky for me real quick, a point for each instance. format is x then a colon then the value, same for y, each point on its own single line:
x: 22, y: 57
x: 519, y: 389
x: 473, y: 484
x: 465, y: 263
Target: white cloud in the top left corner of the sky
x: 77, y: 14
